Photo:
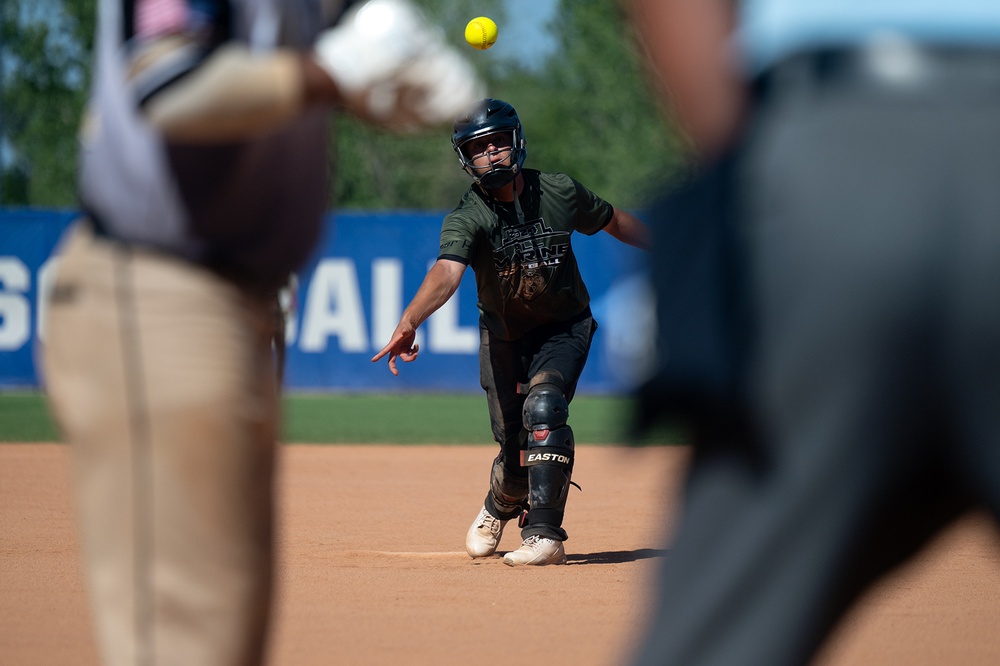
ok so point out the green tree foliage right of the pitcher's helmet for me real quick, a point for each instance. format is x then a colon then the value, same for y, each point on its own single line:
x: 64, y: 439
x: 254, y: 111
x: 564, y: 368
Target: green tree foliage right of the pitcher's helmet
x: 590, y: 111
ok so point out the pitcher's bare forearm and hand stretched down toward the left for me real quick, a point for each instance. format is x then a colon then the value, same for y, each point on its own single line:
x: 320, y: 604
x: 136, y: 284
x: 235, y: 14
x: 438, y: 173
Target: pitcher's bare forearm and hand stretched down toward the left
x: 440, y: 283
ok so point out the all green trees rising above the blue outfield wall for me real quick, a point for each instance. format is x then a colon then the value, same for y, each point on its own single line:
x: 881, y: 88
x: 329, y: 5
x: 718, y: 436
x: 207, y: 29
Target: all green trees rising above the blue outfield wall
x: 586, y: 109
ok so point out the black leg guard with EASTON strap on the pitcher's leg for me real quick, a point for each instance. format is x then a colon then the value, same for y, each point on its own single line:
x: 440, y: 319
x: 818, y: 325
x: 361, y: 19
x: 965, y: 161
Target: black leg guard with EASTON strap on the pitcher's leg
x: 548, y: 456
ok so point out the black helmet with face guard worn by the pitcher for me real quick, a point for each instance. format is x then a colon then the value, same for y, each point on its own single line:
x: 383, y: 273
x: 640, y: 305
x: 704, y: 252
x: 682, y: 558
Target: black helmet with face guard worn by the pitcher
x: 490, y: 117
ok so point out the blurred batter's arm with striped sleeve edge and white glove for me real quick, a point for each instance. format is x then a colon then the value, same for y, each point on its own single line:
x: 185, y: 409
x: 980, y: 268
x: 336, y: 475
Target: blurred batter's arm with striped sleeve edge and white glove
x: 382, y: 61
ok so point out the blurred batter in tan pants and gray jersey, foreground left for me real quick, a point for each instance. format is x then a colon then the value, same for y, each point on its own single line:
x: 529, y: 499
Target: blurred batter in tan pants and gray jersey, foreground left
x: 203, y: 178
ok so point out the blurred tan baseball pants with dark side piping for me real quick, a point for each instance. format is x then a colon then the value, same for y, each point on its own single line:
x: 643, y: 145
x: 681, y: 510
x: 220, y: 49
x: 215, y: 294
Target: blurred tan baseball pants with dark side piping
x: 160, y: 376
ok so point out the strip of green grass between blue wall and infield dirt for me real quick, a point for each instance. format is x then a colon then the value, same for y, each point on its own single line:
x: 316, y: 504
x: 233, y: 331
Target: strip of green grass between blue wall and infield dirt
x: 342, y: 419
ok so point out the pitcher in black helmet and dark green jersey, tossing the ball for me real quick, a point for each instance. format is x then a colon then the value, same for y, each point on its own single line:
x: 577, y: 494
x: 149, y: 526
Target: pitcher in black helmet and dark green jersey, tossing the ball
x: 513, y: 227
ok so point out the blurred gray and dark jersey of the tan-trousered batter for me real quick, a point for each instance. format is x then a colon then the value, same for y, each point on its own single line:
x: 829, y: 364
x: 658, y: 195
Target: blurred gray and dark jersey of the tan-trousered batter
x: 252, y: 210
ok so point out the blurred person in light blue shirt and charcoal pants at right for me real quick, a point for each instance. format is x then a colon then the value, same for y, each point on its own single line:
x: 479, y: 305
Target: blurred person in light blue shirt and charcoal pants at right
x: 827, y: 299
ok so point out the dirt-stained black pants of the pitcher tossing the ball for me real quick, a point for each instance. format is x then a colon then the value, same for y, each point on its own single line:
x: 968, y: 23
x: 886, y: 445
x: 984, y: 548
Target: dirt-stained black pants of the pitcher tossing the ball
x: 556, y: 353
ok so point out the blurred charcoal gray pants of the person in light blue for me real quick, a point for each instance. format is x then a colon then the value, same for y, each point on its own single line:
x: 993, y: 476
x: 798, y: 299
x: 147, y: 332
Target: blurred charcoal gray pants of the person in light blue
x: 870, y: 222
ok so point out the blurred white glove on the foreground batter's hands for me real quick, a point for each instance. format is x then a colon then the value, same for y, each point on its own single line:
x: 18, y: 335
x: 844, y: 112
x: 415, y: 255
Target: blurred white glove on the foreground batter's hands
x: 395, y: 69
